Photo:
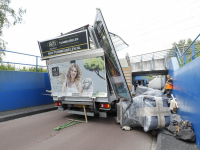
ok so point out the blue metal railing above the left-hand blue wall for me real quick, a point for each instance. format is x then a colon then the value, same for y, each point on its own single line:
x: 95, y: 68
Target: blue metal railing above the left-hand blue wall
x: 36, y: 65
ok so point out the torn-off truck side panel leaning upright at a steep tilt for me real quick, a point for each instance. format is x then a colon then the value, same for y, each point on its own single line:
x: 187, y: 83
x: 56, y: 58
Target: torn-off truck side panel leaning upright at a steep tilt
x: 113, y: 67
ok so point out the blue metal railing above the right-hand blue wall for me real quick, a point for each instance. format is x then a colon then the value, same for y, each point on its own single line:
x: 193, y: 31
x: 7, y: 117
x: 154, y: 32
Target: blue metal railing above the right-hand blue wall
x: 189, y: 54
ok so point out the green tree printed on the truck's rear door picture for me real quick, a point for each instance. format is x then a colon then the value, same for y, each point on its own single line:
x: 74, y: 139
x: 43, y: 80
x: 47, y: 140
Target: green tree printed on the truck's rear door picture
x: 94, y: 64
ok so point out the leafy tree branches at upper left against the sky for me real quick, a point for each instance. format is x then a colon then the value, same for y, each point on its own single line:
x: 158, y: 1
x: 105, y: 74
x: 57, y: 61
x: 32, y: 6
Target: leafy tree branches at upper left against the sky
x: 8, y: 17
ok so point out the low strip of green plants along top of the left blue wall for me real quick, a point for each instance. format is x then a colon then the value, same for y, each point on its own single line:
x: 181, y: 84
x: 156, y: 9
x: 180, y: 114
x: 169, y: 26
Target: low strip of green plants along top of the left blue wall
x: 13, y: 68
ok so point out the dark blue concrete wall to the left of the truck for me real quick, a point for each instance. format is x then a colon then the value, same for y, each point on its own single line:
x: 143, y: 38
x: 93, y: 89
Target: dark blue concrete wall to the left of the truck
x: 23, y: 89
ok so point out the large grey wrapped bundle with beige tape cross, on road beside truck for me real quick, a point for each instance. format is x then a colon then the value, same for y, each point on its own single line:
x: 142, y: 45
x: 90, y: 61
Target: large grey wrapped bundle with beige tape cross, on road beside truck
x: 145, y: 111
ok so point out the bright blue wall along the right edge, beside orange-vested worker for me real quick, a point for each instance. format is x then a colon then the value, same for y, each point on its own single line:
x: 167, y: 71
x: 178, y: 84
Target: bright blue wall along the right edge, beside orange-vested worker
x: 186, y: 89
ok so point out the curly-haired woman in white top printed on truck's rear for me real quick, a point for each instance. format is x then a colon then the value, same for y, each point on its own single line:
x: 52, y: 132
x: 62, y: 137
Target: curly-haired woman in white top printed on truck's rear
x: 72, y: 84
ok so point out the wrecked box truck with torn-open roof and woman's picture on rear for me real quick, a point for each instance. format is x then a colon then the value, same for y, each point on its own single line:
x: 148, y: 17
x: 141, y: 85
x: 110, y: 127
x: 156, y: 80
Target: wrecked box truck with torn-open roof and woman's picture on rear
x: 84, y: 70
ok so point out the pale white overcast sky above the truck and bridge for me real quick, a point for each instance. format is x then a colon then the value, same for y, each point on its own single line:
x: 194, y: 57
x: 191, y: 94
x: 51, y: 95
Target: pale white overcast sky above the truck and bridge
x: 146, y: 25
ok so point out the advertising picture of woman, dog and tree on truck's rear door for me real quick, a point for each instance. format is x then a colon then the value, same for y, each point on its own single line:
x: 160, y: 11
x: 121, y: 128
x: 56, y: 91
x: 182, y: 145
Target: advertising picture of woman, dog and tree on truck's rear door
x: 79, y: 78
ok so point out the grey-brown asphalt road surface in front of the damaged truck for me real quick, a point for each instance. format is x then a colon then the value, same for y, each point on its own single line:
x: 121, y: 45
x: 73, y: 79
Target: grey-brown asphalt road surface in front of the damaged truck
x: 36, y: 133
